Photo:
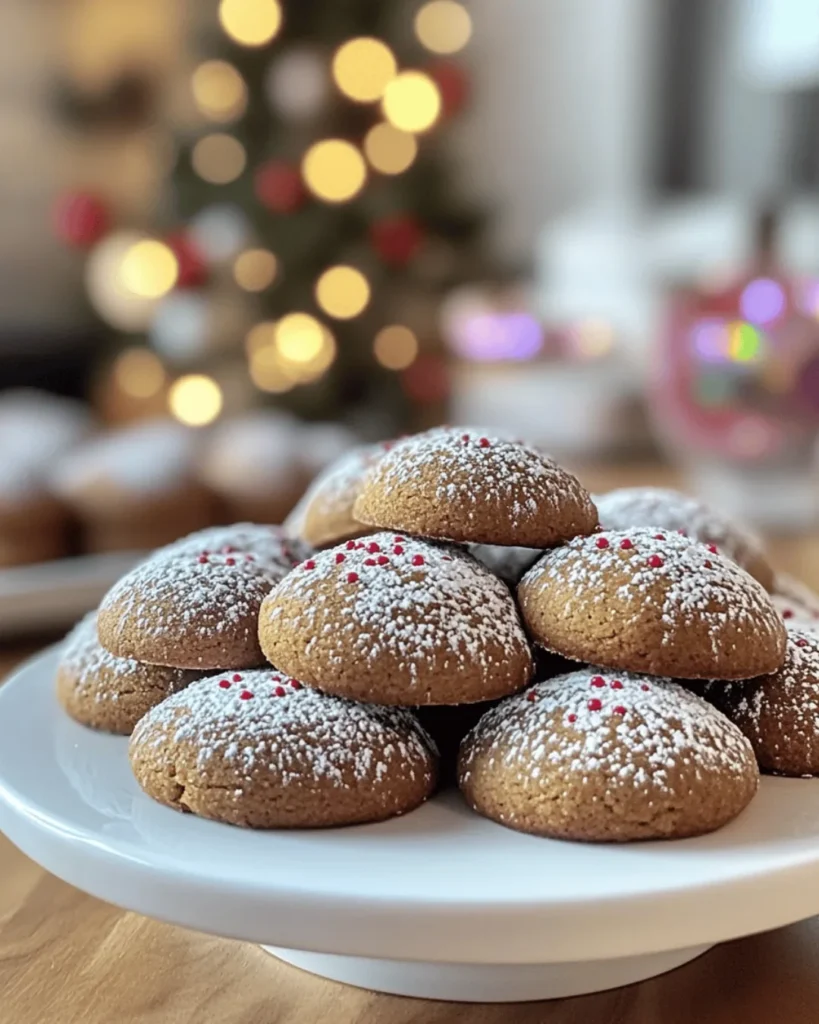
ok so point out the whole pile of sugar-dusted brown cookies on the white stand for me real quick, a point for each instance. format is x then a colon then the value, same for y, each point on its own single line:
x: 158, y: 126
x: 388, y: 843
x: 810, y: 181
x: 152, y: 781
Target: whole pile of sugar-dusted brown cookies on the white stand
x: 413, y: 620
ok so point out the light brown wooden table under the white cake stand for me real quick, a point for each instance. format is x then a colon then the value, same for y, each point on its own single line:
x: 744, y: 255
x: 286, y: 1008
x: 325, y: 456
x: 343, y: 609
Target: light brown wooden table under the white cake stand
x: 68, y: 959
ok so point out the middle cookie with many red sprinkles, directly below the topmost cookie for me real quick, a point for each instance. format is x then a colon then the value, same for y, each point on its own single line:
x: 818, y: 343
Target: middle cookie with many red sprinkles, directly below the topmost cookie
x: 400, y: 622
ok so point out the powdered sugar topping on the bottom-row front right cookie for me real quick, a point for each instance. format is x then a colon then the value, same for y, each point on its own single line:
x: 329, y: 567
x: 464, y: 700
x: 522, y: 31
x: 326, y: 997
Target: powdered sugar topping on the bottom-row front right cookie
x: 637, y: 731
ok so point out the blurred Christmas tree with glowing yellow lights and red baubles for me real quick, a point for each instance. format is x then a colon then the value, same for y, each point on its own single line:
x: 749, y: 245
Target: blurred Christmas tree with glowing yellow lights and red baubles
x: 312, y: 227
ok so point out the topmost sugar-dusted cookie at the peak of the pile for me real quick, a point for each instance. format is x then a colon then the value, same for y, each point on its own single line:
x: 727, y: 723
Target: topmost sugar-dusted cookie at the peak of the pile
x: 461, y: 486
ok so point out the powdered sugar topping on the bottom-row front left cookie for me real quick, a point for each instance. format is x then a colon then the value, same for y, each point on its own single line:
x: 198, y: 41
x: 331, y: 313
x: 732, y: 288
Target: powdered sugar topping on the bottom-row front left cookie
x: 265, y: 721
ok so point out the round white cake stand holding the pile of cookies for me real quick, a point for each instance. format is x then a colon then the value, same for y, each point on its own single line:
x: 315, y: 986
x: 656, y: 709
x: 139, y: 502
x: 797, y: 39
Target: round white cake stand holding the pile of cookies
x: 441, y: 904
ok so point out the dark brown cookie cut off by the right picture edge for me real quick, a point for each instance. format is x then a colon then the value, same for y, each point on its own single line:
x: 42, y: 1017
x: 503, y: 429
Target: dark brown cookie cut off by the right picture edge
x: 780, y: 713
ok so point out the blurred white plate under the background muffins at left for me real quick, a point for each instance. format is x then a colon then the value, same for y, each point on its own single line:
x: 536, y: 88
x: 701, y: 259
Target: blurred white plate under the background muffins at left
x: 55, y: 595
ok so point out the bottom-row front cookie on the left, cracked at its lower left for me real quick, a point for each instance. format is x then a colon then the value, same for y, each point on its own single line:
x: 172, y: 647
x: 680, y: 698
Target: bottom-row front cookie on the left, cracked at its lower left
x: 257, y: 749
